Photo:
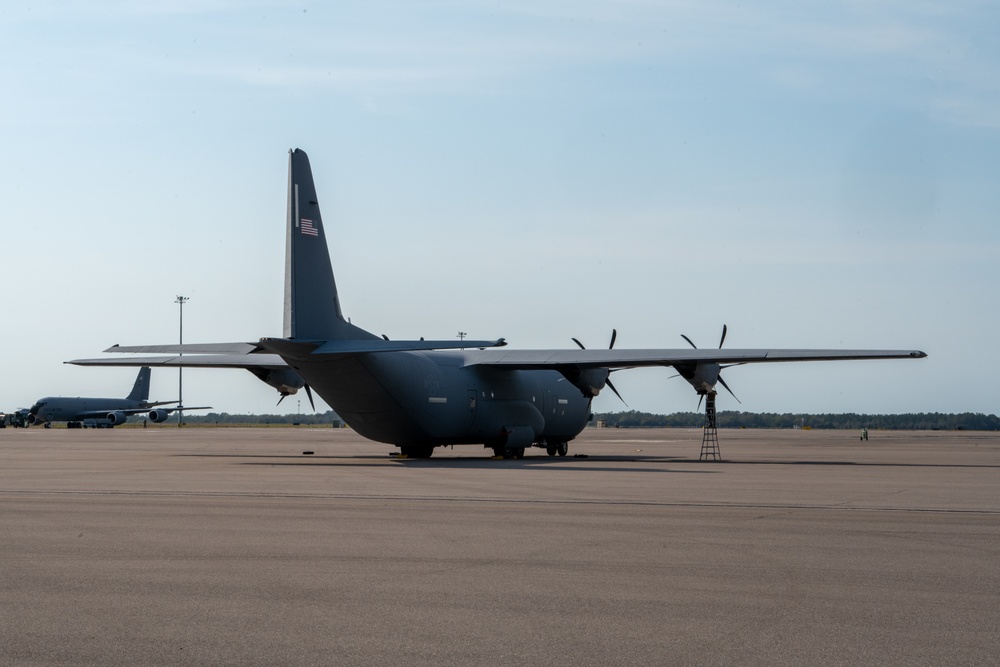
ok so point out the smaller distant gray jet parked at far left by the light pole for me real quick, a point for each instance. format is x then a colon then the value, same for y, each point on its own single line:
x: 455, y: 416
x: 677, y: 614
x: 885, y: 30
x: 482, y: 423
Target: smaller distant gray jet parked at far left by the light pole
x: 101, y: 412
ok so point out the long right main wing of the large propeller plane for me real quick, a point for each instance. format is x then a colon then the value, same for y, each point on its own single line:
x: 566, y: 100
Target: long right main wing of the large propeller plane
x: 601, y: 358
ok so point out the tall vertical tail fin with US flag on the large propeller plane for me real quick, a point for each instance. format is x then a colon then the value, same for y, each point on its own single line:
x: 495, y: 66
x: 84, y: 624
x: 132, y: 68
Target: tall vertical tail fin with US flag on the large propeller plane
x: 312, y: 305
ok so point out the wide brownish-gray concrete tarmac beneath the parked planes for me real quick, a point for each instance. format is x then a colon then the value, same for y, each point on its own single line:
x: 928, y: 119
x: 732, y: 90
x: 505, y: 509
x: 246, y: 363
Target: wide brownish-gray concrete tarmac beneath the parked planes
x: 203, y: 546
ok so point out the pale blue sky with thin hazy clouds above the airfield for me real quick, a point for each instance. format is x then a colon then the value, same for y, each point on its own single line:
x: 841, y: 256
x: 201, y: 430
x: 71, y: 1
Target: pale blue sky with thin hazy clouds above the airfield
x: 811, y: 174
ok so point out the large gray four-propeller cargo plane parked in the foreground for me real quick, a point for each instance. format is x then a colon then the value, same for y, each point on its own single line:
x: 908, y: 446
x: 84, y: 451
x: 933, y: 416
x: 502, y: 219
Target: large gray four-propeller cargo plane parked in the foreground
x: 419, y: 395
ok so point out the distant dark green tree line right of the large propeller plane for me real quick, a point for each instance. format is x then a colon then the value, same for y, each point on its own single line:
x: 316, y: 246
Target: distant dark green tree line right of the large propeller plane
x: 933, y: 421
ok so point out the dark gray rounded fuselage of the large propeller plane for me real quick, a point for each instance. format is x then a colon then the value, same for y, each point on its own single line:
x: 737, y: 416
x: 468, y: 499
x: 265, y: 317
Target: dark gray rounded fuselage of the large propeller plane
x: 433, y: 398
